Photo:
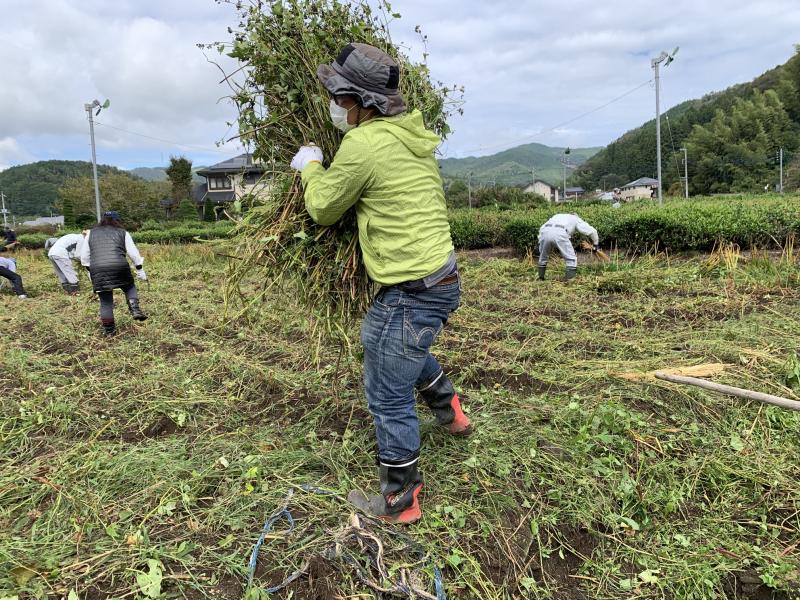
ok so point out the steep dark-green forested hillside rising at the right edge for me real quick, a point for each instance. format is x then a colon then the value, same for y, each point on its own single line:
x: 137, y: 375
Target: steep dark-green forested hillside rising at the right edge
x: 732, y: 137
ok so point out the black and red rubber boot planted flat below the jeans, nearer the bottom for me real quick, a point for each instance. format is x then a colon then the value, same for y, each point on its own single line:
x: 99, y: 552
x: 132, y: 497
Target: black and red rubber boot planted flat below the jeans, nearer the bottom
x: 398, y: 501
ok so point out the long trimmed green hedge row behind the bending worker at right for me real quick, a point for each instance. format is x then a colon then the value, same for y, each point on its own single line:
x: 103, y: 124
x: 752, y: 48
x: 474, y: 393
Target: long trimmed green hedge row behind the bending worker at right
x: 694, y: 224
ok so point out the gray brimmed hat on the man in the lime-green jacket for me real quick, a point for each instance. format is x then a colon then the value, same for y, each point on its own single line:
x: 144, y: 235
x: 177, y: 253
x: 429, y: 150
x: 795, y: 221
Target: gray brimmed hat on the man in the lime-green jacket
x: 369, y: 74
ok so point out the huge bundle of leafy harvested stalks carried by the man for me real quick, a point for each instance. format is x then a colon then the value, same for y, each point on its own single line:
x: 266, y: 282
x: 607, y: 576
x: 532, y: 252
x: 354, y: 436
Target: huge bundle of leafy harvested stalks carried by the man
x: 282, y: 106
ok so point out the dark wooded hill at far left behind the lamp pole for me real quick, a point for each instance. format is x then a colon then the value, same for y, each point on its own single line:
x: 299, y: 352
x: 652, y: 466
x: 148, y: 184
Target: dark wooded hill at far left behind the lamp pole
x: 32, y: 190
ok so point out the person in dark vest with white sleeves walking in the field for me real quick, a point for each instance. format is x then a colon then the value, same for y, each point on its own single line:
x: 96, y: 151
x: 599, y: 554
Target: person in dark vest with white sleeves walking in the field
x: 105, y: 252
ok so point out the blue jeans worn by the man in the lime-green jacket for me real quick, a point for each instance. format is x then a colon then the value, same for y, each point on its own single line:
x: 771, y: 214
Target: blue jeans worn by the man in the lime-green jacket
x: 397, y: 334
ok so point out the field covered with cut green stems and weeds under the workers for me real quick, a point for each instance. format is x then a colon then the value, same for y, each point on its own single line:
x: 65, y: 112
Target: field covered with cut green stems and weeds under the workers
x: 146, y: 465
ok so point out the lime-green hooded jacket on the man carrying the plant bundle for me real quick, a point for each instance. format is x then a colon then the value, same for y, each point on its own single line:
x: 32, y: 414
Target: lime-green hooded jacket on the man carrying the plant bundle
x: 386, y: 168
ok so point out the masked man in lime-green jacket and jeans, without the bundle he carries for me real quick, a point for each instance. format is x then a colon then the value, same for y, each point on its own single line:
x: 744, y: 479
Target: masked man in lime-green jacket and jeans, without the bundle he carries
x: 386, y: 168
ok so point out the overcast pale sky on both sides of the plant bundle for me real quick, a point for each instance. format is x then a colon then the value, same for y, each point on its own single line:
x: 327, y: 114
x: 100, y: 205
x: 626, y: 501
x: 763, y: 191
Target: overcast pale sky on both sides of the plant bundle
x: 528, y: 67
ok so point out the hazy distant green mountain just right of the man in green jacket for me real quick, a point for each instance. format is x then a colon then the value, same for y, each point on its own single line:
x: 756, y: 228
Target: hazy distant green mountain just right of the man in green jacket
x: 515, y: 166
